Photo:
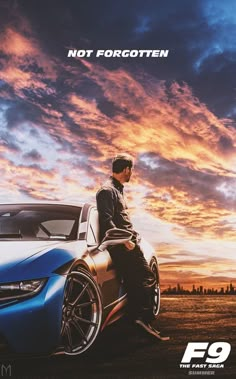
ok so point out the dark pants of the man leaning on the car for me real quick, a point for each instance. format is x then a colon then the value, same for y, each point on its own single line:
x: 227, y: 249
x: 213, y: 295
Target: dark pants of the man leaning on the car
x: 138, y: 278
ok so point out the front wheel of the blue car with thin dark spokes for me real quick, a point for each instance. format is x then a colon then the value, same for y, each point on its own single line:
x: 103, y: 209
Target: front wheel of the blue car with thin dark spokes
x: 81, y: 312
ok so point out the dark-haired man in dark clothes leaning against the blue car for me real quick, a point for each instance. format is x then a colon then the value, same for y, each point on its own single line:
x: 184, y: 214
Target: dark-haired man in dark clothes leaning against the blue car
x: 128, y: 258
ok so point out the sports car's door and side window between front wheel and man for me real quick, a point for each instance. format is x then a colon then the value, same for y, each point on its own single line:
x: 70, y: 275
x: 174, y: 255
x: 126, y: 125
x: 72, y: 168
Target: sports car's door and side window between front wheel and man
x: 107, y: 277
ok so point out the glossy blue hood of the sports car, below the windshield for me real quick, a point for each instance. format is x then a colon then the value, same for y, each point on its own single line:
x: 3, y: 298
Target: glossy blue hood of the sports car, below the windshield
x: 21, y: 260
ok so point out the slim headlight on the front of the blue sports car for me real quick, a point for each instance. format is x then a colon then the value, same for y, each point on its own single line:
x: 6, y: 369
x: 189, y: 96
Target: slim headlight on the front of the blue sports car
x: 20, y: 289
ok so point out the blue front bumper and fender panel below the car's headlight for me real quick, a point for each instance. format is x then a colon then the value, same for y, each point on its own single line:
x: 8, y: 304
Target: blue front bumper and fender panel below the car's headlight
x: 33, y: 325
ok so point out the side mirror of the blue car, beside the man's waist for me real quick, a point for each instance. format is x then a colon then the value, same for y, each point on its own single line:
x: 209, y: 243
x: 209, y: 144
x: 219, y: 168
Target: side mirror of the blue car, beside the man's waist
x: 113, y: 237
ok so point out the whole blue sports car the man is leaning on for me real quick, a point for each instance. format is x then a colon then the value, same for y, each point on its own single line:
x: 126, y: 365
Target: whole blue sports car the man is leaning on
x: 58, y: 287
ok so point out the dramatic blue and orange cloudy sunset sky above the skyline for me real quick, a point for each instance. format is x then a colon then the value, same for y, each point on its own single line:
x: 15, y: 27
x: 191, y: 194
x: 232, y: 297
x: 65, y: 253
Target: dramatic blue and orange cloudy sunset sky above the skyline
x: 62, y: 119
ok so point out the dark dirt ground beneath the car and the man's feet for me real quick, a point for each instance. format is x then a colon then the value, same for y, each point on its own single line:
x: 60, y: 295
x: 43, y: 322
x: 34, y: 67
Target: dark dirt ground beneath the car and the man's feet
x: 125, y: 352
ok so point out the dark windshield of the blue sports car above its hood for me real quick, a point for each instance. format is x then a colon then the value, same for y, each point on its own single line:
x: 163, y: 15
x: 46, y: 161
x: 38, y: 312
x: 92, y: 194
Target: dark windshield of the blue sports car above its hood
x: 39, y: 222
